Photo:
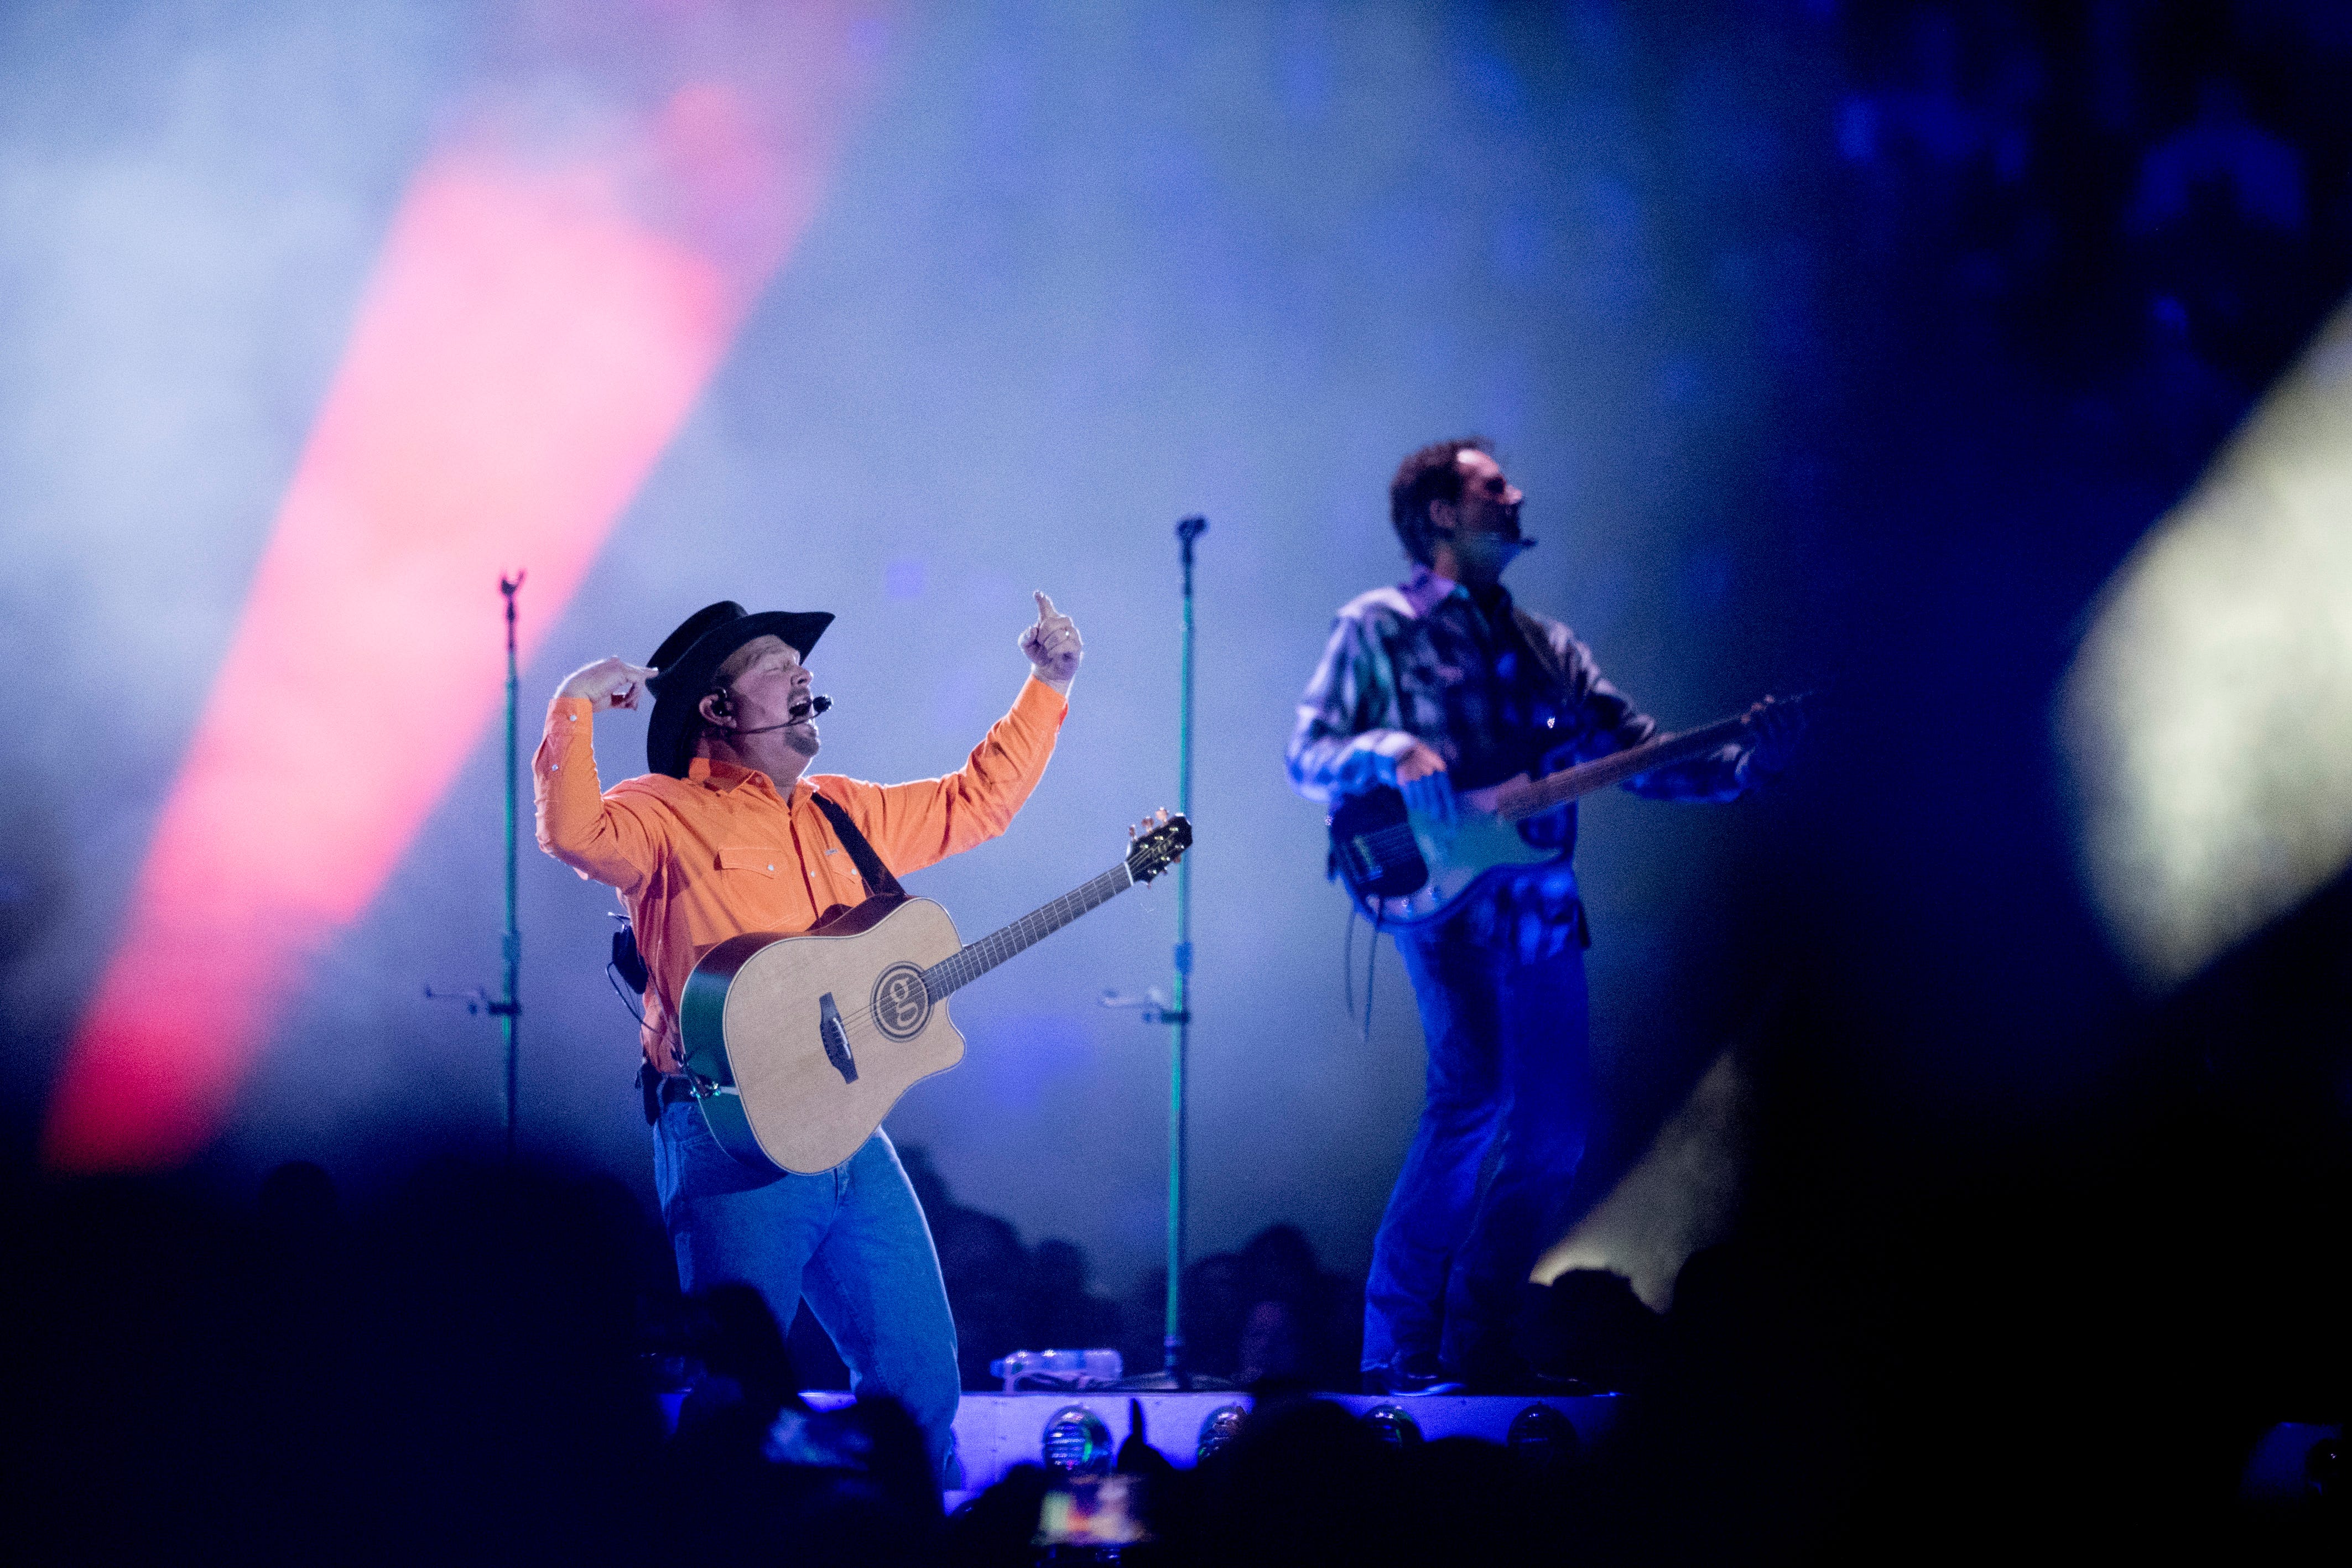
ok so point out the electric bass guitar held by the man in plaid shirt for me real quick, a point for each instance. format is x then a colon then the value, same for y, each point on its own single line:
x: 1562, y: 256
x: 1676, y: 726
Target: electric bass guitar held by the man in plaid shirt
x: 1408, y: 869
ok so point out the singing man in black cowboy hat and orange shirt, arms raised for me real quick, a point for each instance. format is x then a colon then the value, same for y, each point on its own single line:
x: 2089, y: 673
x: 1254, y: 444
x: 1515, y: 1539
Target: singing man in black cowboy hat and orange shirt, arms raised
x: 726, y: 836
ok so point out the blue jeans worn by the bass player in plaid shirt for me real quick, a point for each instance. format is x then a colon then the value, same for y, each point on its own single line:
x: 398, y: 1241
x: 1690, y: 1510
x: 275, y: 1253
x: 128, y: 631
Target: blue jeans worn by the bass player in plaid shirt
x: 1509, y: 1064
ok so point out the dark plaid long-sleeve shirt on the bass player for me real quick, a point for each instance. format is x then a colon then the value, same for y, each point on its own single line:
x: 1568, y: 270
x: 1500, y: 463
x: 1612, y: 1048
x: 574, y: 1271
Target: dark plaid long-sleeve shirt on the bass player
x: 1497, y: 692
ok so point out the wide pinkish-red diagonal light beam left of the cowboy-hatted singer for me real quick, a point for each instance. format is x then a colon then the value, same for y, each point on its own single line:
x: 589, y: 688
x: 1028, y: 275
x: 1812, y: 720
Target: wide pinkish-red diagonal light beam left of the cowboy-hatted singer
x: 533, y: 337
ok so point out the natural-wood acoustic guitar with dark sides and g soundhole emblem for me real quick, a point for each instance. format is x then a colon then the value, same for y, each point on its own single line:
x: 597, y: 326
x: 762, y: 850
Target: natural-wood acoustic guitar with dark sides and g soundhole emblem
x: 796, y: 1047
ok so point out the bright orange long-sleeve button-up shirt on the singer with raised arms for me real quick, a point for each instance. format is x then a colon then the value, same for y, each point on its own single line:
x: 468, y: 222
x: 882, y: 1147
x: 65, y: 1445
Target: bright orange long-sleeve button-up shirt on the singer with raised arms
x: 719, y: 852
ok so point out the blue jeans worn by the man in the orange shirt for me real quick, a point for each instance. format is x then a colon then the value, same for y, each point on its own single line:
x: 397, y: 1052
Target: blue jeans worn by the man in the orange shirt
x: 853, y: 1242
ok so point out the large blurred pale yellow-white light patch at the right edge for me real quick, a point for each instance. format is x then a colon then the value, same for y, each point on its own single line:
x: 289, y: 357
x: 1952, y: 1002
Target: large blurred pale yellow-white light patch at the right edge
x: 2207, y: 718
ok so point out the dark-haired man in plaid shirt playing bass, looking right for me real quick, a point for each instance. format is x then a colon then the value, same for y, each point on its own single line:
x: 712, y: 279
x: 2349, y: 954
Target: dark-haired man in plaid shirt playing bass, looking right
x: 1436, y: 688
